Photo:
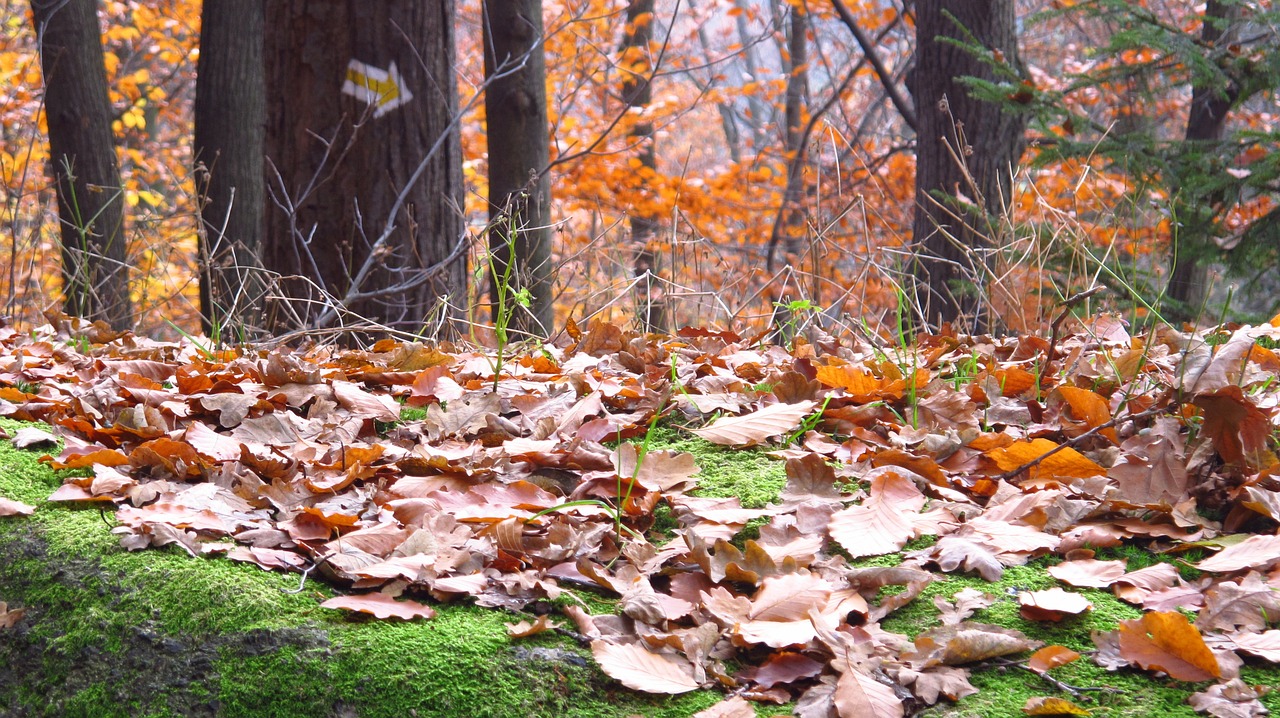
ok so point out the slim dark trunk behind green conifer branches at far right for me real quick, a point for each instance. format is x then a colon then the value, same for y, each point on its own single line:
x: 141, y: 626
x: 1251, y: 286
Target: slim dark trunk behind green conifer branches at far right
x: 1188, y: 280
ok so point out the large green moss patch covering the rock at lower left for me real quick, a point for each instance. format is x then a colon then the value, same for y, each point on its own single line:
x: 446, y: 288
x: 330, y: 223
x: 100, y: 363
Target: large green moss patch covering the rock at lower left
x: 157, y: 633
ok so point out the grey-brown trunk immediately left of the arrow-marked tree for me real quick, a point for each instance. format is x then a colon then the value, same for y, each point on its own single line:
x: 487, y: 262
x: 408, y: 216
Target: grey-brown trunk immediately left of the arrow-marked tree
x: 231, y: 117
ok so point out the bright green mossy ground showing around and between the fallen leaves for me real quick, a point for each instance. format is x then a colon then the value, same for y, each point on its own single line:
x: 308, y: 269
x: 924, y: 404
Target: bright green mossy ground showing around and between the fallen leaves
x: 112, y: 633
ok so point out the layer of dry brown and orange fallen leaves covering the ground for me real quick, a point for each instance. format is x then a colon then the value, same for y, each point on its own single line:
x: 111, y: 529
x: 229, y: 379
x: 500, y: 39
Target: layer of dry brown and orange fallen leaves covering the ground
x: 506, y: 491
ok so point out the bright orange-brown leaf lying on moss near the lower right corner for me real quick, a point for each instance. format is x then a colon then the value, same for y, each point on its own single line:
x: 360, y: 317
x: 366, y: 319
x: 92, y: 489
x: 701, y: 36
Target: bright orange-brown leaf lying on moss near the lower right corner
x: 1167, y: 642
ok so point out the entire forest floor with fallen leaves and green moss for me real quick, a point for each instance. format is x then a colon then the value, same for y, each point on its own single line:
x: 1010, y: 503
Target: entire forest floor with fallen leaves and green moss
x: 833, y: 531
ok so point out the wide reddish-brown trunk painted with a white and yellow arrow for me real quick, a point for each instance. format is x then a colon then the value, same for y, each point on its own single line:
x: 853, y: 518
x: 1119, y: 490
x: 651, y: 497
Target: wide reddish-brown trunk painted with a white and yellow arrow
x: 362, y: 99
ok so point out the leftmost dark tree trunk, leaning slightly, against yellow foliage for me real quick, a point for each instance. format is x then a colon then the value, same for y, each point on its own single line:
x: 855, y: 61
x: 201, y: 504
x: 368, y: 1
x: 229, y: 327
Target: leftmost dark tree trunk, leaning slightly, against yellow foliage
x: 83, y: 157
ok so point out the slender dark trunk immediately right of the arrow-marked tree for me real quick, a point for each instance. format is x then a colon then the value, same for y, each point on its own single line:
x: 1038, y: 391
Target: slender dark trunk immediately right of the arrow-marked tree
x: 520, y: 193
